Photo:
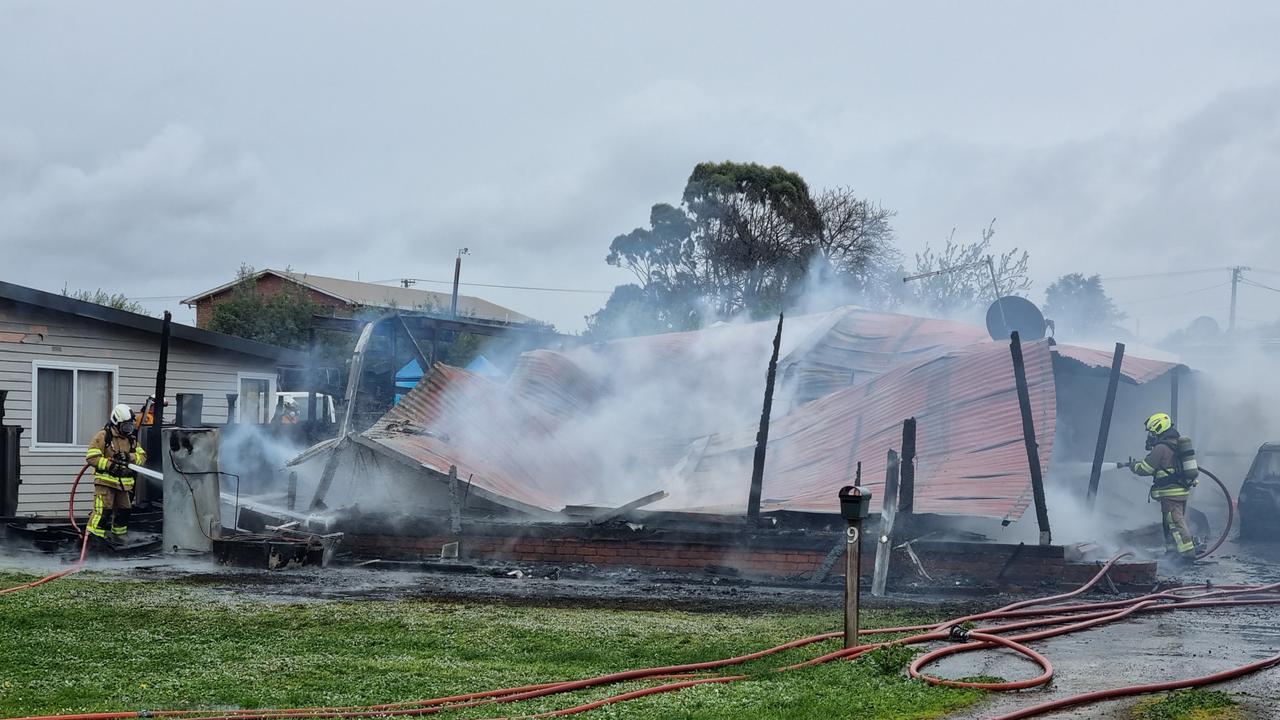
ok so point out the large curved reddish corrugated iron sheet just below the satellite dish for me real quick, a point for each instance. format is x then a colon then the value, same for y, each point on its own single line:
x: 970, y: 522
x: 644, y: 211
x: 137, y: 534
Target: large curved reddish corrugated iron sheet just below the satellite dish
x: 972, y: 459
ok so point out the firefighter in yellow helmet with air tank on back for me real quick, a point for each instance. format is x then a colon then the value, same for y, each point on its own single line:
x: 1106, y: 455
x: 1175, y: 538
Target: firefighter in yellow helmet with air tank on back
x: 1169, y: 485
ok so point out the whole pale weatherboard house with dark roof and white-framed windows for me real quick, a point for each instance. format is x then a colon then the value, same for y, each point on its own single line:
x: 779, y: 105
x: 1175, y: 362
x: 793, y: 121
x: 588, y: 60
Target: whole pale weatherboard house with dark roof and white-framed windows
x: 66, y: 363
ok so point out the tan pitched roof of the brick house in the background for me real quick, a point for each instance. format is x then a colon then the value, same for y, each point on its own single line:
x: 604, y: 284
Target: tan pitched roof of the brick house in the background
x: 373, y: 295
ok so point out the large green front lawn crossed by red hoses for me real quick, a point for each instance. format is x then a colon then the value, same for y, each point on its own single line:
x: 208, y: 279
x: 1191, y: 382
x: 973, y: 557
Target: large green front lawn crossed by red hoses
x: 88, y: 644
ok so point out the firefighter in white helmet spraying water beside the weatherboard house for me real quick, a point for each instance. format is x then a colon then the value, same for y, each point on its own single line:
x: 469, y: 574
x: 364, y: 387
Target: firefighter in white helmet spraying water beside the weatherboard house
x: 109, y: 454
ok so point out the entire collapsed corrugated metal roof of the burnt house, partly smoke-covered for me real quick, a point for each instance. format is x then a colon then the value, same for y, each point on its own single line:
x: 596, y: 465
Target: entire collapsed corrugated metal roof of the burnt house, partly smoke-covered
x: 605, y: 425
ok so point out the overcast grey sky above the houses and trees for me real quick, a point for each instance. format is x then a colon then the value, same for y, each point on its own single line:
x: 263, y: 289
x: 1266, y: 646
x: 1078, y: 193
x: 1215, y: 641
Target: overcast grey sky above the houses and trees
x: 152, y: 148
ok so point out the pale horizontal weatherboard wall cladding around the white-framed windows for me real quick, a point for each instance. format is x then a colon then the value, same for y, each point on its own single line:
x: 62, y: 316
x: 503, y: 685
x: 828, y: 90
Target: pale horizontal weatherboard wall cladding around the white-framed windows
x: 31, y: 335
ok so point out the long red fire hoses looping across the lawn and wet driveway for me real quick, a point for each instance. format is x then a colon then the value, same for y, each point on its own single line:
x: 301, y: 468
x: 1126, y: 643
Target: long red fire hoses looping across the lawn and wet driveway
x: 1031, y: 621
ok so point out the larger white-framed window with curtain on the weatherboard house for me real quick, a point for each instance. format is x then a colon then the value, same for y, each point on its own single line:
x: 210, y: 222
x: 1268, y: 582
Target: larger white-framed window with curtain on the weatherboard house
x: 71, y: 403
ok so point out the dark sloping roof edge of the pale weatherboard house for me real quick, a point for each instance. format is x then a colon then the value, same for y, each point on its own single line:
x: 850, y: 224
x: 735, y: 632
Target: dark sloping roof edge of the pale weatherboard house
x: 106, y: 315
